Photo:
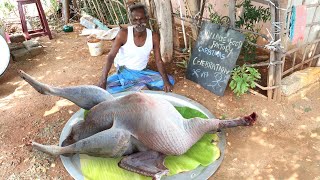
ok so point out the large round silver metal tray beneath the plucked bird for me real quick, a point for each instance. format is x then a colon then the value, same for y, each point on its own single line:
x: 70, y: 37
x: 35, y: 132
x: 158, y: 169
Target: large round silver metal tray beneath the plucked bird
x: 72, y: 164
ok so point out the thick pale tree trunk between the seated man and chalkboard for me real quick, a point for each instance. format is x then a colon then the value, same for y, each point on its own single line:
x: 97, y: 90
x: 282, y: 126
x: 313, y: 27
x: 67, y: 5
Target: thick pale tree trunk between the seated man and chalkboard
x: 164, y: 17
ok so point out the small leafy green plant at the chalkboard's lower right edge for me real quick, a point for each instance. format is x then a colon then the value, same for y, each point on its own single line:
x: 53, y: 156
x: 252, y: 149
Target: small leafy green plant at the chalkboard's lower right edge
x: 243, y: 78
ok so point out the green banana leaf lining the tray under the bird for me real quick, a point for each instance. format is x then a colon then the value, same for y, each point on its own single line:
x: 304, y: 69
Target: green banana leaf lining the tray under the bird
x: 204, y: 152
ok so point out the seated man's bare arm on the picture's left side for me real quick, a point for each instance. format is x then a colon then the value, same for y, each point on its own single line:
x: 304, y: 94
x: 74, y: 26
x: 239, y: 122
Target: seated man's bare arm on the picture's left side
x: 120, y: 40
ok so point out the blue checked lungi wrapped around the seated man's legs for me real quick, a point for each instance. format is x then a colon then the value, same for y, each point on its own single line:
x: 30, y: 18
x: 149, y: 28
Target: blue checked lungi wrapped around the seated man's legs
x: 134, y: 80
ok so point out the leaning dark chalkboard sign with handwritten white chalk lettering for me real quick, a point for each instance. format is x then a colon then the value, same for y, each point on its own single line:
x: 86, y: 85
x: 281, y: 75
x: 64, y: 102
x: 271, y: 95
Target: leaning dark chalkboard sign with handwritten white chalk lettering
x: 214, y: 57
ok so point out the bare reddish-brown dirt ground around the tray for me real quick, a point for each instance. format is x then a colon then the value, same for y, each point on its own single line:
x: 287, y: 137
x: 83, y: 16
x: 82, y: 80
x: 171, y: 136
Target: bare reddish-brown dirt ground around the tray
x: 283, y: 144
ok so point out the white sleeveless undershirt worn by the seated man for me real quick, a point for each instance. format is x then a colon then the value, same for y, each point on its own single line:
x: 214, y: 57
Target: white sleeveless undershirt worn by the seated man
x: 132, y: 56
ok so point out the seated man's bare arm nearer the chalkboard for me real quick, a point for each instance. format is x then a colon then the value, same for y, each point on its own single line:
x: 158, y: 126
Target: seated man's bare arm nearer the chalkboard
x: 156, y: 49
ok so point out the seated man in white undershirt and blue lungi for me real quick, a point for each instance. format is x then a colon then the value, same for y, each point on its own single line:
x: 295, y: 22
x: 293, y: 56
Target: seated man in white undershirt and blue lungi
x: 130, y: 54
